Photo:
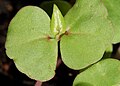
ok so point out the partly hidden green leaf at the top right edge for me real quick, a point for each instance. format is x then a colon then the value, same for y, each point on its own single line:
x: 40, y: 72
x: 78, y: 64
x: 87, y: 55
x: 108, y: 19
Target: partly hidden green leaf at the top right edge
x: 113, y: 7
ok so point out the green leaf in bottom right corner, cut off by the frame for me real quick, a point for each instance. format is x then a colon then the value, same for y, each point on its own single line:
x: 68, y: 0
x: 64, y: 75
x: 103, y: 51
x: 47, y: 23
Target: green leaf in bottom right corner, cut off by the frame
x: 103, y: 73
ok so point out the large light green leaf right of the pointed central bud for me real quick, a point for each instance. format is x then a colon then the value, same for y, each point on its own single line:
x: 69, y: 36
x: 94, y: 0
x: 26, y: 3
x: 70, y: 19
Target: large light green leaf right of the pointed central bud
x: 88, y: 34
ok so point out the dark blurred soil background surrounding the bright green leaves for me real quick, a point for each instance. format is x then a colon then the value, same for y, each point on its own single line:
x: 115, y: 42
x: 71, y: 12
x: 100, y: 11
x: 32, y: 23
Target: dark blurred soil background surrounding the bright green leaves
x: 9, y: 75
